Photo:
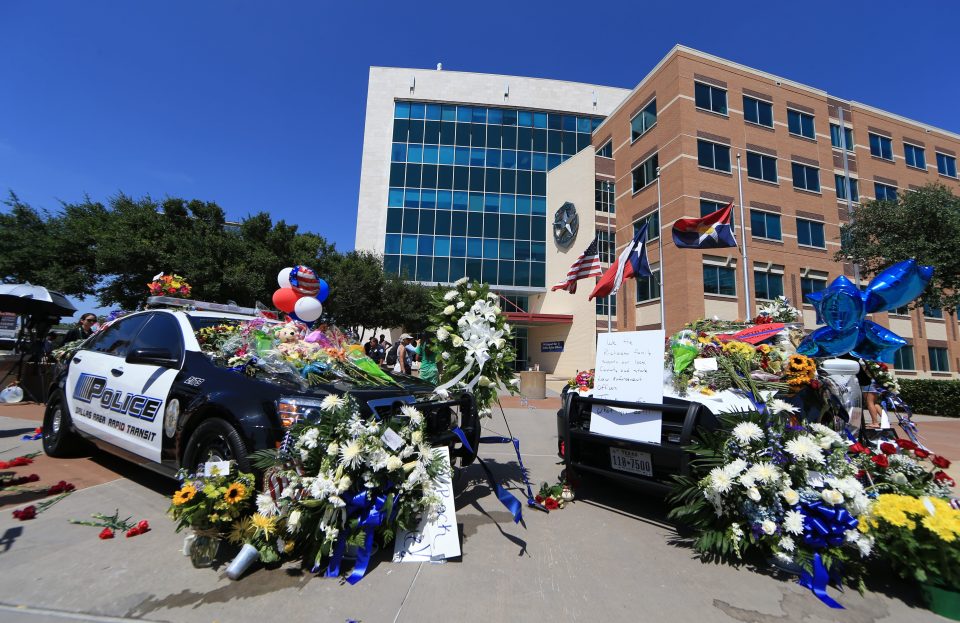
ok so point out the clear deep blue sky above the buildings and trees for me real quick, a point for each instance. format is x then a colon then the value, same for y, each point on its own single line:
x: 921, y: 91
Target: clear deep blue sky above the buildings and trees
x: 260, y: 106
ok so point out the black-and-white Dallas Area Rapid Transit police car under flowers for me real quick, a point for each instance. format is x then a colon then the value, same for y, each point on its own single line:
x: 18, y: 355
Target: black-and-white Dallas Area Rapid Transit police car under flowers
x: 142, y: 388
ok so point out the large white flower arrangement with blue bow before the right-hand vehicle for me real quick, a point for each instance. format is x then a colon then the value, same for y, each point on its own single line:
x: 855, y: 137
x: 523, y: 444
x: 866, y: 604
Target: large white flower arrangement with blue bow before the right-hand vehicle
x: 764, y: 487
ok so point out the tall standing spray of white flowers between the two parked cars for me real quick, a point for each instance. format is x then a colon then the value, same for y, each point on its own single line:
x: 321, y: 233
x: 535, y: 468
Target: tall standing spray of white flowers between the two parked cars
x: 473, y: 342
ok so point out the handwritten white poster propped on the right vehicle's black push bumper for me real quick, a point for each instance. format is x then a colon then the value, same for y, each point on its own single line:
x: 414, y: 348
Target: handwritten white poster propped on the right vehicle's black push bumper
x: 629, y: 368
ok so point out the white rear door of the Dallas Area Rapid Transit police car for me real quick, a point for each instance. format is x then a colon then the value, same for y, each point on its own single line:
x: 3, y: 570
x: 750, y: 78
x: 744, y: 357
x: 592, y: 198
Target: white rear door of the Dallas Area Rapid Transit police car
x: 92, y: 379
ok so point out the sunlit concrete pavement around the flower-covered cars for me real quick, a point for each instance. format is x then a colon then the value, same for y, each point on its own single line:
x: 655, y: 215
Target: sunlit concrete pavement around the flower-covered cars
x: 609, y: 555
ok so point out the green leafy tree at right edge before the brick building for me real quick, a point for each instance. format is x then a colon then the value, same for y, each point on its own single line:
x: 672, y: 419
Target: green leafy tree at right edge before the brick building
x: 924, y: 224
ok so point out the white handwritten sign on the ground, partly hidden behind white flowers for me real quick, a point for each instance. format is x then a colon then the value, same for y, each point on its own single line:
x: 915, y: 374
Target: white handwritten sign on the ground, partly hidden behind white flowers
x: 436, y: 540
